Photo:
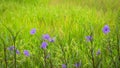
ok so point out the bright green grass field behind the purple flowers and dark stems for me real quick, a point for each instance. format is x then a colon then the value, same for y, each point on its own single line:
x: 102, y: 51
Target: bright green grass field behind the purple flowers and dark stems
x: 67, y: 20
